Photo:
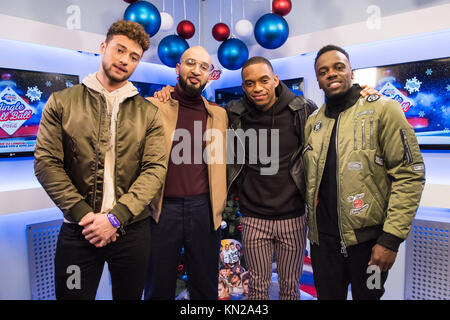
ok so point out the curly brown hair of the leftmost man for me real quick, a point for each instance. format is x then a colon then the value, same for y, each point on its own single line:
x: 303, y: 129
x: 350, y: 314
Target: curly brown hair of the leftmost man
x: 130, y: 29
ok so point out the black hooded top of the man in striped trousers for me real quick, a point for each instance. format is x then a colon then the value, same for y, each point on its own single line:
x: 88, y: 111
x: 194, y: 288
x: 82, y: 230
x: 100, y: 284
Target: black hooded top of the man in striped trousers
x: 271, y: 196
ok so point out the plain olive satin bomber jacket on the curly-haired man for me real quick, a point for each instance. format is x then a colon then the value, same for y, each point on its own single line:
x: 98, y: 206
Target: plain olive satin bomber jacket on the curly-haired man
x: 70, y: 153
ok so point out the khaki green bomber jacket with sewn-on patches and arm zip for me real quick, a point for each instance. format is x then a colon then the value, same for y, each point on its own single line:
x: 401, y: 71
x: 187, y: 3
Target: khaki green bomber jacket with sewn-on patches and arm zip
x: 380, y: 171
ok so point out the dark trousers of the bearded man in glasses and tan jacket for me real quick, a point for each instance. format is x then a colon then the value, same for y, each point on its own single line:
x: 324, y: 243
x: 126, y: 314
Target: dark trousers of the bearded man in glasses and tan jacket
x: 184, y: 222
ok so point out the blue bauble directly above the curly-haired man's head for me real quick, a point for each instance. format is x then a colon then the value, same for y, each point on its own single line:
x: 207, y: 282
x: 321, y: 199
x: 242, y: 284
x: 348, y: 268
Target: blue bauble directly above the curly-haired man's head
x: 146, y: 14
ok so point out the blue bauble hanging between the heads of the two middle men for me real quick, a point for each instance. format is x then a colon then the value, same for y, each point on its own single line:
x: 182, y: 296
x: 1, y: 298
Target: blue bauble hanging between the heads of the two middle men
x: 232, y: 54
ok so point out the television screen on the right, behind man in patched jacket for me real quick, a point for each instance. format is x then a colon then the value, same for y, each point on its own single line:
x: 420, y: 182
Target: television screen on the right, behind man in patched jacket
x: 423, y: 90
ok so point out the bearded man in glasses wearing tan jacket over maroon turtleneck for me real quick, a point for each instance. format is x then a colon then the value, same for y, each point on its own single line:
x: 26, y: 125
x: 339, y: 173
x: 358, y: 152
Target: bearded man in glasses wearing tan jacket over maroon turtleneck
x: 188, y: 210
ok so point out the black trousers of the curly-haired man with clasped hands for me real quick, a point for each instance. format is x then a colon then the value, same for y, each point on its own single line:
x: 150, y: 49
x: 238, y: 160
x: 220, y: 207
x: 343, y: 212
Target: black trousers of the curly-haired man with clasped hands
x: 79, y: 264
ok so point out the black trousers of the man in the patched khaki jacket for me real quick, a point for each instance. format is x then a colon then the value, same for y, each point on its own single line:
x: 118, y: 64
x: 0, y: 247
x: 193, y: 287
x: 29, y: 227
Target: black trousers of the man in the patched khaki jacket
x: 333, y: 272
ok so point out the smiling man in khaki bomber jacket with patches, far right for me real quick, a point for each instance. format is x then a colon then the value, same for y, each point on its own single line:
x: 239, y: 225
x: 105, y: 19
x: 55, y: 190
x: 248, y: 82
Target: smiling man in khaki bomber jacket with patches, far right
x: 365, y: 177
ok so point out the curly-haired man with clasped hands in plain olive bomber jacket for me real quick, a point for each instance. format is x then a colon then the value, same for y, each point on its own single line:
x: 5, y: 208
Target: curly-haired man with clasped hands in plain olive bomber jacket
x: 100, y: 155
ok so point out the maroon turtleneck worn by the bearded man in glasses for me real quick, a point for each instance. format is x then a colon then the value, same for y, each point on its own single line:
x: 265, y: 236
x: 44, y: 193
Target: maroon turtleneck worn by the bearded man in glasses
x: 188, y: 179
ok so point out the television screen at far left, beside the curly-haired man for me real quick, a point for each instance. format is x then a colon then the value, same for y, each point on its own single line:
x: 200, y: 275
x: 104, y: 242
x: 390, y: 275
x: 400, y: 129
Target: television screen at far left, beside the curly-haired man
x: 23, y: 95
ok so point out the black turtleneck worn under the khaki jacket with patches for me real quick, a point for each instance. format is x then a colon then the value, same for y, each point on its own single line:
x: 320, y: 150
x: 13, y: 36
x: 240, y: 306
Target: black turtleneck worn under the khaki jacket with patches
x: 327, y: 216
